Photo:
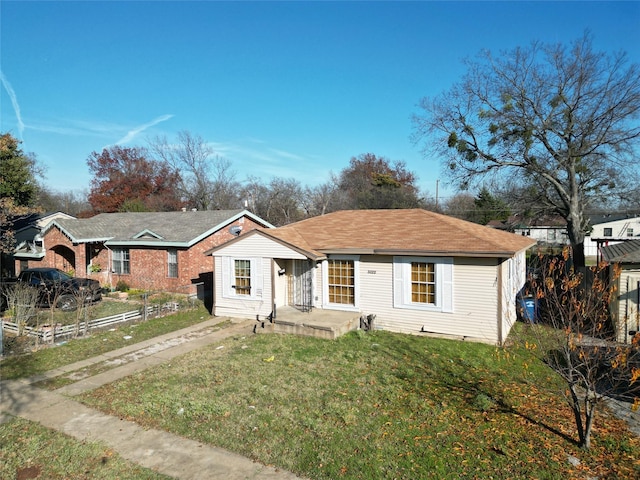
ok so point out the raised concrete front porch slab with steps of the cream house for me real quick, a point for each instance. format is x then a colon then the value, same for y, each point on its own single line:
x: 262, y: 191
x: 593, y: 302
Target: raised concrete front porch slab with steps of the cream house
x: 319, y: 323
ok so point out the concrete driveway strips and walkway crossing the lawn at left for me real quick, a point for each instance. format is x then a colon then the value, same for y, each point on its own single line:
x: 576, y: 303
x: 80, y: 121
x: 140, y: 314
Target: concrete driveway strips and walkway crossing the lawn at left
x: 158, y: 450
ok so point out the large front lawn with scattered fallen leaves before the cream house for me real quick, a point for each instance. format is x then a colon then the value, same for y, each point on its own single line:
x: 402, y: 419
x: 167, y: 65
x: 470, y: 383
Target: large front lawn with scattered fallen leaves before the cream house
x: 374, y: 405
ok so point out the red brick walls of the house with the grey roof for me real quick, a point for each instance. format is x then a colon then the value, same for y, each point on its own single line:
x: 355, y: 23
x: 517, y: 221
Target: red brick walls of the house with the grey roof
x: 148, y: 267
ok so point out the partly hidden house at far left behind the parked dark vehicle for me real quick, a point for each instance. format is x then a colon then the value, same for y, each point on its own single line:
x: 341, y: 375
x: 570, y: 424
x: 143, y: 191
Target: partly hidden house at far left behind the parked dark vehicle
x: 27, y: 234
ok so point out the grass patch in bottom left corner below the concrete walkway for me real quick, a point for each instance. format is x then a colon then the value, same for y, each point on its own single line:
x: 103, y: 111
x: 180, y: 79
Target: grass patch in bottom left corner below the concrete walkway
x: 28, y: 450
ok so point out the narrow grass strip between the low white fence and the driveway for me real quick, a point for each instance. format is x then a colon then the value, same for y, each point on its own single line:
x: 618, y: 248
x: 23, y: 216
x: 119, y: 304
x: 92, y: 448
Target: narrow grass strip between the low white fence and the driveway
x: 49, y: 358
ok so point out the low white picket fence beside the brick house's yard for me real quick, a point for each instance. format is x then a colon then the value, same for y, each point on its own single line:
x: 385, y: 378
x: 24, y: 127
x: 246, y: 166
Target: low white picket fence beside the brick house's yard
x: 45, y: 332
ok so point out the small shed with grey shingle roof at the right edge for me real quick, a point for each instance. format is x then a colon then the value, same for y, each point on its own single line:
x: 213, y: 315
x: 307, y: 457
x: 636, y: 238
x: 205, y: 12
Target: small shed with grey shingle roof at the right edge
x: 625, y: 306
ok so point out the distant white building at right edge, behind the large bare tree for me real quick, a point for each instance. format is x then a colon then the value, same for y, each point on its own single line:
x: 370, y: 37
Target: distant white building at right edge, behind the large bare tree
x: 609, y: 230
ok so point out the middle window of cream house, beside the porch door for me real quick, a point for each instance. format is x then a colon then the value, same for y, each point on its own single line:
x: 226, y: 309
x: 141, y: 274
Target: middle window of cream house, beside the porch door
x: 340, y: 285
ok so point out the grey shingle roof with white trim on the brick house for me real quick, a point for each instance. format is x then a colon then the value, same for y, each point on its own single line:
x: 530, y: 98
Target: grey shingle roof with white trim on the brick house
x: 174, y: 229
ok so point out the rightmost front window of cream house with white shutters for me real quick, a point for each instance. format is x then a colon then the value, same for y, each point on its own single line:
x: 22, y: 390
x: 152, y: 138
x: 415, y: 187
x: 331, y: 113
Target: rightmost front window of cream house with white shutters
x: 423, y: 283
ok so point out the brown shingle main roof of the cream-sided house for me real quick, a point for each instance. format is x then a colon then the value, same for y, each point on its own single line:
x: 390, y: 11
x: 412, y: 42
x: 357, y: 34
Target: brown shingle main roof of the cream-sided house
x: 398, y: 231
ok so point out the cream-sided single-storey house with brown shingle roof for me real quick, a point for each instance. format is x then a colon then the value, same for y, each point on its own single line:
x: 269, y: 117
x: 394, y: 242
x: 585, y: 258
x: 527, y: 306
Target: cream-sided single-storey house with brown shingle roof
x: 416, y: 270
